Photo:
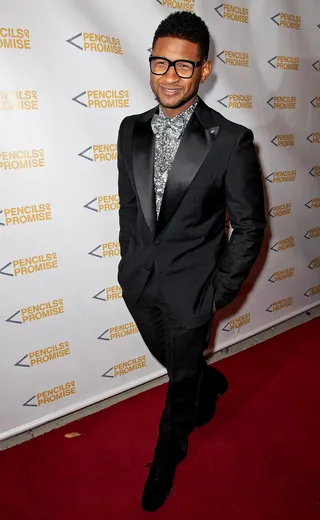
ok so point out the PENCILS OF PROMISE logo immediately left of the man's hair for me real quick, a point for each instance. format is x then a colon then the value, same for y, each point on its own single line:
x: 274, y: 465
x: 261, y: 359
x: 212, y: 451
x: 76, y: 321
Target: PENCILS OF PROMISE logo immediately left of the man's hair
x: 93, y: 42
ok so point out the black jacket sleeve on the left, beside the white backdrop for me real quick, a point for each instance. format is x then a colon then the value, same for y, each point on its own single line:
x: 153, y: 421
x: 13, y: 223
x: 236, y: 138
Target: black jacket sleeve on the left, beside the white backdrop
x: 127, y: 198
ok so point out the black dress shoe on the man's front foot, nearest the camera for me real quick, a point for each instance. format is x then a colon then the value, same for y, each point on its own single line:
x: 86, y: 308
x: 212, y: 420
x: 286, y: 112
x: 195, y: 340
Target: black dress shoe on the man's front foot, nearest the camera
x: 160, y: 479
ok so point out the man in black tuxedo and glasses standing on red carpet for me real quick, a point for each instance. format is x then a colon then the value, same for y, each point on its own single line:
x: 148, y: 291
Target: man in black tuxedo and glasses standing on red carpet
x: 181, y: 164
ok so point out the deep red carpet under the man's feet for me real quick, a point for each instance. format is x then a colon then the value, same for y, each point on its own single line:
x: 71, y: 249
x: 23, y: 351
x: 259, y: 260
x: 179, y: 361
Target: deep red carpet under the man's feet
x: 259, y: 459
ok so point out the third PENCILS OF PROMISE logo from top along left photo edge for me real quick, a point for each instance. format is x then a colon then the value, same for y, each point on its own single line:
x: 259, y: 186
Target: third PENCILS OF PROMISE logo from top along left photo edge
x: 22, y: 159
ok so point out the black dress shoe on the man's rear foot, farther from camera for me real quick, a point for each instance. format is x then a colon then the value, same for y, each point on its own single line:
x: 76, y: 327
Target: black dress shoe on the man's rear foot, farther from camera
x: 214, y: 384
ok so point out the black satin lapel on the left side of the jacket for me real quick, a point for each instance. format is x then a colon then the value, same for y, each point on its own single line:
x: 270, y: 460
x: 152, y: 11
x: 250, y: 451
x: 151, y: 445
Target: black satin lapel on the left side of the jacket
x: 143, y: 157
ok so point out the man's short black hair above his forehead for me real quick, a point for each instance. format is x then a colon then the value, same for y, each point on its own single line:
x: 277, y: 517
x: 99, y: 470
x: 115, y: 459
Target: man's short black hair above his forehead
x: 185, y: 26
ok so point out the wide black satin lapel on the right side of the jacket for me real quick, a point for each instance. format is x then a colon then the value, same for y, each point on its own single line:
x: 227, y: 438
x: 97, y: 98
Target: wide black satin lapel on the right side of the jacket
x: 194, y: 147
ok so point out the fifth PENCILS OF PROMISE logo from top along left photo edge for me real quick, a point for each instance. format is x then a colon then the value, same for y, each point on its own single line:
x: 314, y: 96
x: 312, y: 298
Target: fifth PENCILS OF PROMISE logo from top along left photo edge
x: 30, y: 265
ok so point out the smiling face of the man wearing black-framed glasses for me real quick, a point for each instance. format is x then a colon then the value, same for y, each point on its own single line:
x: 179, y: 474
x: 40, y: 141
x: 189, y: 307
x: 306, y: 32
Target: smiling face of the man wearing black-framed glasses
x: 171, y: 90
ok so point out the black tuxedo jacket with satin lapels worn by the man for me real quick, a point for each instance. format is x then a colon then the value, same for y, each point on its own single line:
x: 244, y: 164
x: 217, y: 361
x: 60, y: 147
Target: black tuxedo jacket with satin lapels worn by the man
x: 215, y: 168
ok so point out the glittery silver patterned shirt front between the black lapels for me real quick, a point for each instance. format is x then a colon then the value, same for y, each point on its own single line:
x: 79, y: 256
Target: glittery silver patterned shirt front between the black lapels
x: 166, y: 146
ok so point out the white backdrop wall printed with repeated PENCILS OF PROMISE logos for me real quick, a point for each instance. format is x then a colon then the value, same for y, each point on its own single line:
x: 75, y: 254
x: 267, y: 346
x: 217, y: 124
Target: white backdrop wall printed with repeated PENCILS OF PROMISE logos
x: 70, y: 72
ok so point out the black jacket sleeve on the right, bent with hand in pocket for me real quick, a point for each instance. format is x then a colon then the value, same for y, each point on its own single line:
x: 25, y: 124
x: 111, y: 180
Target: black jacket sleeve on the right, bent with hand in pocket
x: 245, y: 204
